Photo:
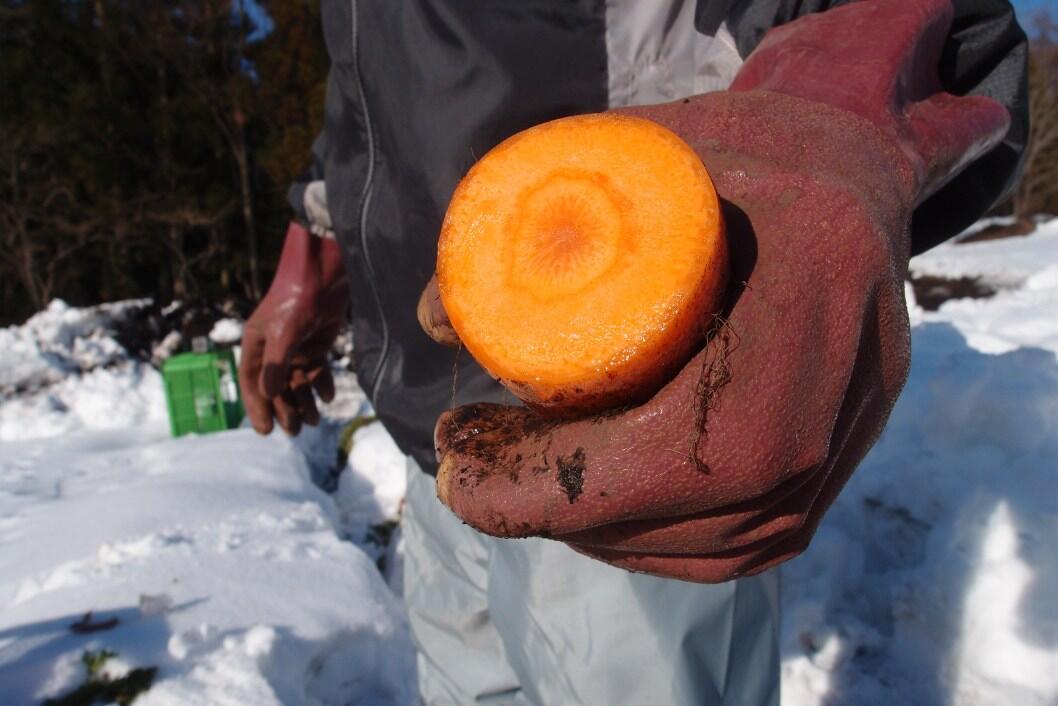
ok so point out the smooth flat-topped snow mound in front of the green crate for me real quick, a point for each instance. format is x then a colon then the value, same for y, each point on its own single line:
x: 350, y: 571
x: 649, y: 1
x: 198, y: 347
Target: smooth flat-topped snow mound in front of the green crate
x: 269, y: 606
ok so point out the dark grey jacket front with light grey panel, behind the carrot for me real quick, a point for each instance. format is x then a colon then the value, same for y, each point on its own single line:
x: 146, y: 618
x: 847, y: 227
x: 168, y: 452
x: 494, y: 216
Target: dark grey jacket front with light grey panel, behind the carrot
x: 418, y: 93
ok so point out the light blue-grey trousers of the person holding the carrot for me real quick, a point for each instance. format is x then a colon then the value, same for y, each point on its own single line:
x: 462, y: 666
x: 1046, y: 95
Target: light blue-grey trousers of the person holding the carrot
x: 531, y: 622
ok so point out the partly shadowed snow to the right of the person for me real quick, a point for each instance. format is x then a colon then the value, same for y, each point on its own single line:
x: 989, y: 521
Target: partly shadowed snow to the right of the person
x: 933, y: 580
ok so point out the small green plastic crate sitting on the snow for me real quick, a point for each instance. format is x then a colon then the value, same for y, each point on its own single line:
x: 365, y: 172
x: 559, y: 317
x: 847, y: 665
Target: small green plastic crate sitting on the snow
x: 203, y: 393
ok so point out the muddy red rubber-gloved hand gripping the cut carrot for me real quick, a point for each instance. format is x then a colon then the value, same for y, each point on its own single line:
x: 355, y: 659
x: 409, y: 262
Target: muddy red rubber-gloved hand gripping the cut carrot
x: 832, y: 134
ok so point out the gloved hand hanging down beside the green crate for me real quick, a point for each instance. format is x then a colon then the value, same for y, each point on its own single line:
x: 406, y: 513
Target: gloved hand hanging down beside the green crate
x: 286, y: 340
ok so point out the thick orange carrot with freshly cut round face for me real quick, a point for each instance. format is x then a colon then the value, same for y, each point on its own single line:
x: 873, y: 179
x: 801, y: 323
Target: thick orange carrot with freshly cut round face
x: 581, y: 261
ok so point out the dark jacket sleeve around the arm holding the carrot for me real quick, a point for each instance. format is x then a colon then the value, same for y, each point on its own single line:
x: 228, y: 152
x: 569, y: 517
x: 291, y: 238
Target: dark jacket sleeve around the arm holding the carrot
x: 987, y: 55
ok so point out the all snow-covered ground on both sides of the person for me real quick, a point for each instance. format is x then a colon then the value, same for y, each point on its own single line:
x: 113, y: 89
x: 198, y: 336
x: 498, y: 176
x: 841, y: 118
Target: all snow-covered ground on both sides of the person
x: 933, y: 582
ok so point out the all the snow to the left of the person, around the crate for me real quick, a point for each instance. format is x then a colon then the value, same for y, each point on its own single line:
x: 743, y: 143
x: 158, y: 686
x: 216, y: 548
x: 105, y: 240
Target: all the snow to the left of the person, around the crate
x: 224, y: 563
